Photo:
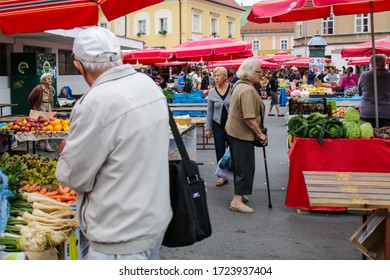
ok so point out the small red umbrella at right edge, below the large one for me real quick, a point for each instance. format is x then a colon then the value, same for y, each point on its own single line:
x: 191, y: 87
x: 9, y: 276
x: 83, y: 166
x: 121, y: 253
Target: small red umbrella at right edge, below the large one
x: 365, y: 49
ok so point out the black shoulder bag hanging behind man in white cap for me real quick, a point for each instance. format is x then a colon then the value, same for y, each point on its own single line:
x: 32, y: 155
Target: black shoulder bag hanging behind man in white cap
x: 190, y: 222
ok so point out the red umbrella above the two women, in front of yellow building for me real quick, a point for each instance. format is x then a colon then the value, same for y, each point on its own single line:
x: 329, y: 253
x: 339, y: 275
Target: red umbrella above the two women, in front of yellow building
x: 210, y: 48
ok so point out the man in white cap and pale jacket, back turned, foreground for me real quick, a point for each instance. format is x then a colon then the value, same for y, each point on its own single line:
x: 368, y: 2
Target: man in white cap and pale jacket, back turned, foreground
x: 116, y: 154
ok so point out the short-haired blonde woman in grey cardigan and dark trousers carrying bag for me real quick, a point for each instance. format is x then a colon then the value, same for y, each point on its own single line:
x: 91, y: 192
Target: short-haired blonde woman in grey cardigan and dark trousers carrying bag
x: 217, y: 113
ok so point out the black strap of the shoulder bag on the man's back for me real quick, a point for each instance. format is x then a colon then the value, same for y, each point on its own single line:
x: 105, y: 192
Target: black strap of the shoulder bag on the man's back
x: 192, y: 176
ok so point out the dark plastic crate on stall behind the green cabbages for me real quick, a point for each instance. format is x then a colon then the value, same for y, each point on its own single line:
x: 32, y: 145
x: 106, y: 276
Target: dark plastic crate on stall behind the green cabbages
x: 306, y: 107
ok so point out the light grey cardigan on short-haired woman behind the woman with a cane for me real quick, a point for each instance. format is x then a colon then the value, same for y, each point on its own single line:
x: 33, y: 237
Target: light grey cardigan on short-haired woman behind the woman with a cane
x: 214, y: 106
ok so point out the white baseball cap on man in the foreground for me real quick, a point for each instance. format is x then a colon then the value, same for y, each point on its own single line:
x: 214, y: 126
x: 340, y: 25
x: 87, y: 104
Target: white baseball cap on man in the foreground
x: 96, y: 44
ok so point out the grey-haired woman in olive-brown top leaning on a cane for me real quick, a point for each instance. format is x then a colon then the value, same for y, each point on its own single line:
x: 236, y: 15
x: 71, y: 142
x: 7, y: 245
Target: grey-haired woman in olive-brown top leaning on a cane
x: 243, y: 127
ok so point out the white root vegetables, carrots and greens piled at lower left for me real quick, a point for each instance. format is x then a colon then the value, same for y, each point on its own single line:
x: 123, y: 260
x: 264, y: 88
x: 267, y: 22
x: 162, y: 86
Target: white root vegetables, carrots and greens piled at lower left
x: 41, y: 212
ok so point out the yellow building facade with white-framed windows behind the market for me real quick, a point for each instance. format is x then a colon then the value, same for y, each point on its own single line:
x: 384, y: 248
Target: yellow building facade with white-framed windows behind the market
x: 173, y: 22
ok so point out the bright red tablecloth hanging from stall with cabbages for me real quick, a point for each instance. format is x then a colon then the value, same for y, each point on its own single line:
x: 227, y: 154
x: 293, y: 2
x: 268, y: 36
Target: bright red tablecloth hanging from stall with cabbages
x: 337, y: 155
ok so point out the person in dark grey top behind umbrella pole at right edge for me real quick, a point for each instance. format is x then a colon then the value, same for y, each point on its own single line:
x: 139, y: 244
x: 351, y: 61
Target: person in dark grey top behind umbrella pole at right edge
x: 366, y: 90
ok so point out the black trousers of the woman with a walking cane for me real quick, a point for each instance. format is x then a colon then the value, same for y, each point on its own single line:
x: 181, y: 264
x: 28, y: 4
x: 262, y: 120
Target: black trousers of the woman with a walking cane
x: 243, y: 161
